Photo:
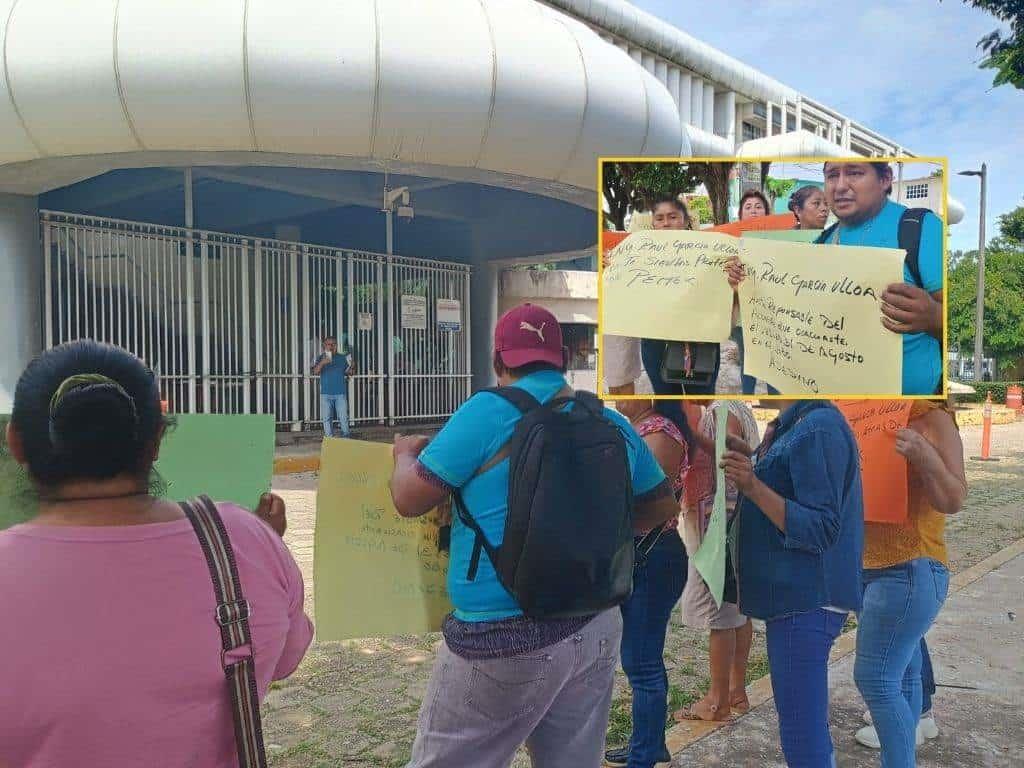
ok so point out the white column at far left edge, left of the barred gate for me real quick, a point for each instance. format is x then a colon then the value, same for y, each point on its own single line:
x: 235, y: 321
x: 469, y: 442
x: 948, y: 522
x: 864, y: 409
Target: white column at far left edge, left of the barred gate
x: 21, y: 265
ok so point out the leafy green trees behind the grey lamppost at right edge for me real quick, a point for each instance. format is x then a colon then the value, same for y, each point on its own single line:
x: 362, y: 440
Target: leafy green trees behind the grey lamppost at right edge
x: 1004, y: 333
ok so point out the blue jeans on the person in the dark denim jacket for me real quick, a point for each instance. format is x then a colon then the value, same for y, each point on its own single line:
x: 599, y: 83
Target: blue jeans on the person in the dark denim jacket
x: 798, y: 659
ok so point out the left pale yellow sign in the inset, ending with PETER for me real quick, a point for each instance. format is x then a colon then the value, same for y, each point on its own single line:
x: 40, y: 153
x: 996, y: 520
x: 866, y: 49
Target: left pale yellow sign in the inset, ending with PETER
x: 669, y: 284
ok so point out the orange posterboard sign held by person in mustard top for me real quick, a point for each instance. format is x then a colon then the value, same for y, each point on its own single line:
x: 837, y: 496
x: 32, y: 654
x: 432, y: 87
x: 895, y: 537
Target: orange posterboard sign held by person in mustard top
x: 875, y: 425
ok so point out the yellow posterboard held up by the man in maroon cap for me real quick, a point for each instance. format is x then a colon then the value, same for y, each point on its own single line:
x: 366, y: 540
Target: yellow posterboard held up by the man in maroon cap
x: 375, y: 573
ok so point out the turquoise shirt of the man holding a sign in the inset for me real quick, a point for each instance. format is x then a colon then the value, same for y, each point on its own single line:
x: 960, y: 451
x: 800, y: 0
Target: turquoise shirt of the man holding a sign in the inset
x: 922, y: 354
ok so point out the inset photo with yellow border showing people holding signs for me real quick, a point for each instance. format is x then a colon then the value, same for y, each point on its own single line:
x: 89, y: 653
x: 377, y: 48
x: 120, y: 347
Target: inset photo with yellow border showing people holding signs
x: 818, y: 278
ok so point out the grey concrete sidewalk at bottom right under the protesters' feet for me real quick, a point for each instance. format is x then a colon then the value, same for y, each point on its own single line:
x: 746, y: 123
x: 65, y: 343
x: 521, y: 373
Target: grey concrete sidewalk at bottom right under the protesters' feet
x: 977, y: 646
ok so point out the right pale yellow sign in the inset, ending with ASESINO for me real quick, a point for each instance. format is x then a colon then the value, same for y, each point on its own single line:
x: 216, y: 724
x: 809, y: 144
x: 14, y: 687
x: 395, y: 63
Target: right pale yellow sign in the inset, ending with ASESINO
x: 813, y: 318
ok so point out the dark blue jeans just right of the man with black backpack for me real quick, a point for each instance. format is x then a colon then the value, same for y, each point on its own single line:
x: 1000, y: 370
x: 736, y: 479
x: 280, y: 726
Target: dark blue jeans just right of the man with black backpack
x: 658, y: 585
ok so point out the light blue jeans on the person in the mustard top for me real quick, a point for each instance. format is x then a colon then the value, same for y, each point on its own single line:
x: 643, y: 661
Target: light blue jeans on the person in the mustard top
x: 901, y: 605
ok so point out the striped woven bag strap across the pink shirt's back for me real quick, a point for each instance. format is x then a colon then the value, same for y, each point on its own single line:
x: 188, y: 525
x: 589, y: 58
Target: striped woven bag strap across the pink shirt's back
x: 232, y: 617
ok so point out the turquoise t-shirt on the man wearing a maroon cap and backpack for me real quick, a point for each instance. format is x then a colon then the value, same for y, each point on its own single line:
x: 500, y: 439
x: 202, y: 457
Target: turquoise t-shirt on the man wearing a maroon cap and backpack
x: 475, y: 434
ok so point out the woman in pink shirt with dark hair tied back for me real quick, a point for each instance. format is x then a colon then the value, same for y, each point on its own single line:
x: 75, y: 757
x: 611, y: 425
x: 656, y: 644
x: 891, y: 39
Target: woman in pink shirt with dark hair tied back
x: 112, y: 655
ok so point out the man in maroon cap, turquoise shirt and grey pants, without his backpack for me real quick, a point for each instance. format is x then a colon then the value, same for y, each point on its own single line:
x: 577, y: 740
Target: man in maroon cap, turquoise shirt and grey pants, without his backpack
x: 503, y: 679
